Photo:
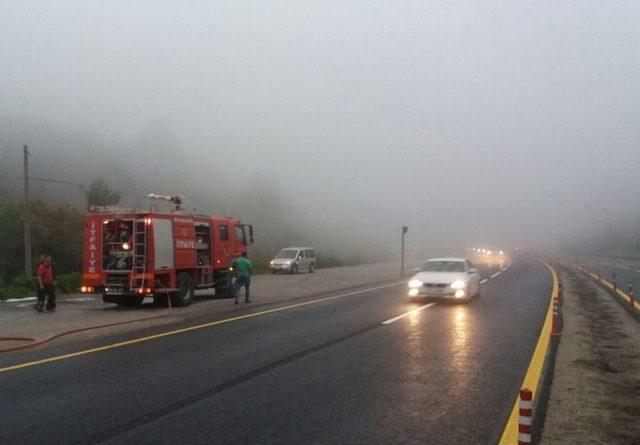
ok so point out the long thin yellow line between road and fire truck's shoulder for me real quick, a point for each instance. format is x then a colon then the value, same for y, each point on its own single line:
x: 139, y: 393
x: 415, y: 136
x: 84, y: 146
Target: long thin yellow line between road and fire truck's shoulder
x: 188, y: 329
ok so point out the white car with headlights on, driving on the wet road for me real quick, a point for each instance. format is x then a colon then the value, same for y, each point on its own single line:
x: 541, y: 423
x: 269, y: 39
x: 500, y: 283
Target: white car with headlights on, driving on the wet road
x: 452, y: 278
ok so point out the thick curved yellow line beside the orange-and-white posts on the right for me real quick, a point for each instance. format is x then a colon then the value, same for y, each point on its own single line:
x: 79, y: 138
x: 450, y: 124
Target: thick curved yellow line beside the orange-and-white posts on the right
x: 532, y: 378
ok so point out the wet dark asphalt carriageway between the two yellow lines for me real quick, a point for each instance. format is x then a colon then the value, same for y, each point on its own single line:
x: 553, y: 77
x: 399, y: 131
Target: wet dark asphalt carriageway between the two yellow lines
x: 329, y: 372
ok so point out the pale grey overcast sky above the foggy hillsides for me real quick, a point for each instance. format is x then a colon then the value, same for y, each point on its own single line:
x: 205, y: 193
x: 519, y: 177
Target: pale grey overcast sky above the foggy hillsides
x: 487, y: 122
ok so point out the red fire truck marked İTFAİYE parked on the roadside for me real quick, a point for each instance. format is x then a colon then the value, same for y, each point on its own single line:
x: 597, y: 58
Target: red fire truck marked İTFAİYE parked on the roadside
x: 131, y: 255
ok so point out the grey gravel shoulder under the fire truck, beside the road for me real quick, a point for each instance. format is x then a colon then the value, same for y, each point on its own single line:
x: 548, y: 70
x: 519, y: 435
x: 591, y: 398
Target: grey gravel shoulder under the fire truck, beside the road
x: 19, y: 319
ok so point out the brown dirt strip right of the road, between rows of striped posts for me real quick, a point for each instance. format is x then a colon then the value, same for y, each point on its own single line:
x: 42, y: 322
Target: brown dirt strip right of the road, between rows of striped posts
x: 595, y: 395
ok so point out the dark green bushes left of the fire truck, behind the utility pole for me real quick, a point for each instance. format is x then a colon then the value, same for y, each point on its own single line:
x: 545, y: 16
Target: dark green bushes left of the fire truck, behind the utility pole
x: 54, y: 230
